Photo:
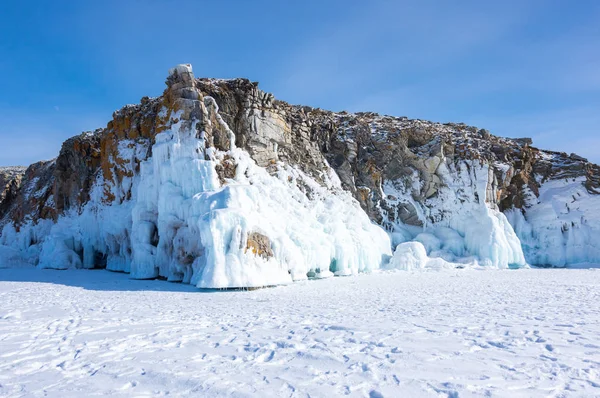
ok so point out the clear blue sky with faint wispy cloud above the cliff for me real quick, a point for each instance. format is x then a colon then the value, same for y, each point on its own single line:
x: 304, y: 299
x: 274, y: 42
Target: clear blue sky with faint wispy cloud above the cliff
x: 517, y: 68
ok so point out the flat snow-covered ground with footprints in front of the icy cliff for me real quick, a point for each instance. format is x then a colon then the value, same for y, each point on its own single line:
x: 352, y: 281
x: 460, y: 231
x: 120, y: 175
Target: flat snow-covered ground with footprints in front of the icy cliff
x: 532, y: 332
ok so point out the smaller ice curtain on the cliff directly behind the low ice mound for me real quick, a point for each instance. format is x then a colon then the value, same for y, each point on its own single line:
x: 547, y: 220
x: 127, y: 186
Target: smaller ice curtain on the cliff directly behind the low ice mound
x: 457, y: 224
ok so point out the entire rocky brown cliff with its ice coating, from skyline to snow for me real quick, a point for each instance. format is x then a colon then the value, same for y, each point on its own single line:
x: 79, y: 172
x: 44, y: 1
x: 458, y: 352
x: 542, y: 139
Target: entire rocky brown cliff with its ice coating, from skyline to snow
x: 219, y: 184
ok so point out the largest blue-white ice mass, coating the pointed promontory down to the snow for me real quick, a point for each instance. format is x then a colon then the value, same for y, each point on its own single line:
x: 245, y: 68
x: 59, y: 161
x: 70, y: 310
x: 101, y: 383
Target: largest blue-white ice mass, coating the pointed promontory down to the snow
x: 183, y: 224
